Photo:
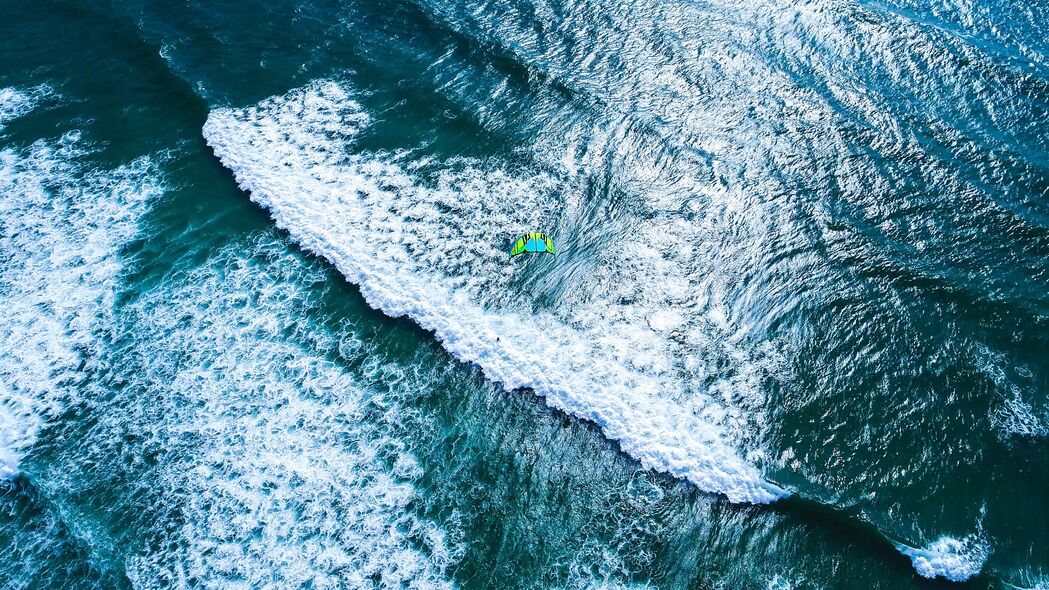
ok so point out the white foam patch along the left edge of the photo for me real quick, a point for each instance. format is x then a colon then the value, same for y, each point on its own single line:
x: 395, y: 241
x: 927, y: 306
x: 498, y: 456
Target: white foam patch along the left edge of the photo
x: 62, y: 230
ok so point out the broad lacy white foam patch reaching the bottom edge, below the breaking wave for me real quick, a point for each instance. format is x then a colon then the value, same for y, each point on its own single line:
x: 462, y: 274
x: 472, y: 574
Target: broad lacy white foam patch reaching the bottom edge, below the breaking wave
x: 285, y: 467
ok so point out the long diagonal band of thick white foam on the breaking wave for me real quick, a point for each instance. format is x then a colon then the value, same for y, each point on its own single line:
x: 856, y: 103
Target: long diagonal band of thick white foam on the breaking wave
x: 292, y: 154
